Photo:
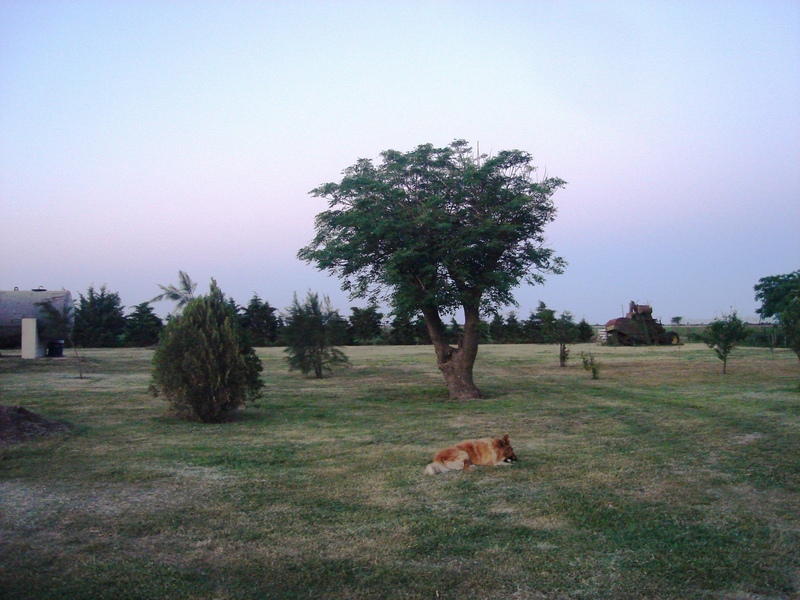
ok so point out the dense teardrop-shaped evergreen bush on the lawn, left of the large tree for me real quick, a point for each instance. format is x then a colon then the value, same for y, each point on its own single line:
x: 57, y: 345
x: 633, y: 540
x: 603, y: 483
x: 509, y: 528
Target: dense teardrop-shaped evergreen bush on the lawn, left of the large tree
x: 204, y: 364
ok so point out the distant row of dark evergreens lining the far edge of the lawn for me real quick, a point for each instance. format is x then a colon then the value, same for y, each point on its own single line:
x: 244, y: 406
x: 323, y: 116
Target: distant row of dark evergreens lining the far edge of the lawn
x: 101, y: 322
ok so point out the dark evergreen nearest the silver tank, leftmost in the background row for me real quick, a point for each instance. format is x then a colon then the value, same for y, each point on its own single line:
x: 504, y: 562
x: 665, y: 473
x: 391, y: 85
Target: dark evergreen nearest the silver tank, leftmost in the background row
x: 99, y: 319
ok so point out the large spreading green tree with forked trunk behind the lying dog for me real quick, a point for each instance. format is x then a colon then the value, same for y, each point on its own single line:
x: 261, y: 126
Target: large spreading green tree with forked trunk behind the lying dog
x: 435, y: 230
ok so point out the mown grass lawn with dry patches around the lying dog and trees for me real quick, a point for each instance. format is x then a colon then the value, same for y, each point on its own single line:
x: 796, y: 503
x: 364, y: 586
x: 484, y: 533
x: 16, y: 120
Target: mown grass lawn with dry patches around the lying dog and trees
x: 662, y: 479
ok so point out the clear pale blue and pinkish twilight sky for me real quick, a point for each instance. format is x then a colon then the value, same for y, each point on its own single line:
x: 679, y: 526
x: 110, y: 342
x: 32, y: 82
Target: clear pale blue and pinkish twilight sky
x: 140, y: 138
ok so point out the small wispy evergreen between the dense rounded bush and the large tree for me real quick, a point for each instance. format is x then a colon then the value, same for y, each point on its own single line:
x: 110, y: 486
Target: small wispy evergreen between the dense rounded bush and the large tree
x: 308, y: 331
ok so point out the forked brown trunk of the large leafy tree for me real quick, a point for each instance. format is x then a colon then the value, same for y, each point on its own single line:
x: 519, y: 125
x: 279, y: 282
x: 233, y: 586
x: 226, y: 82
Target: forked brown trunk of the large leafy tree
x: 456, y: 364
